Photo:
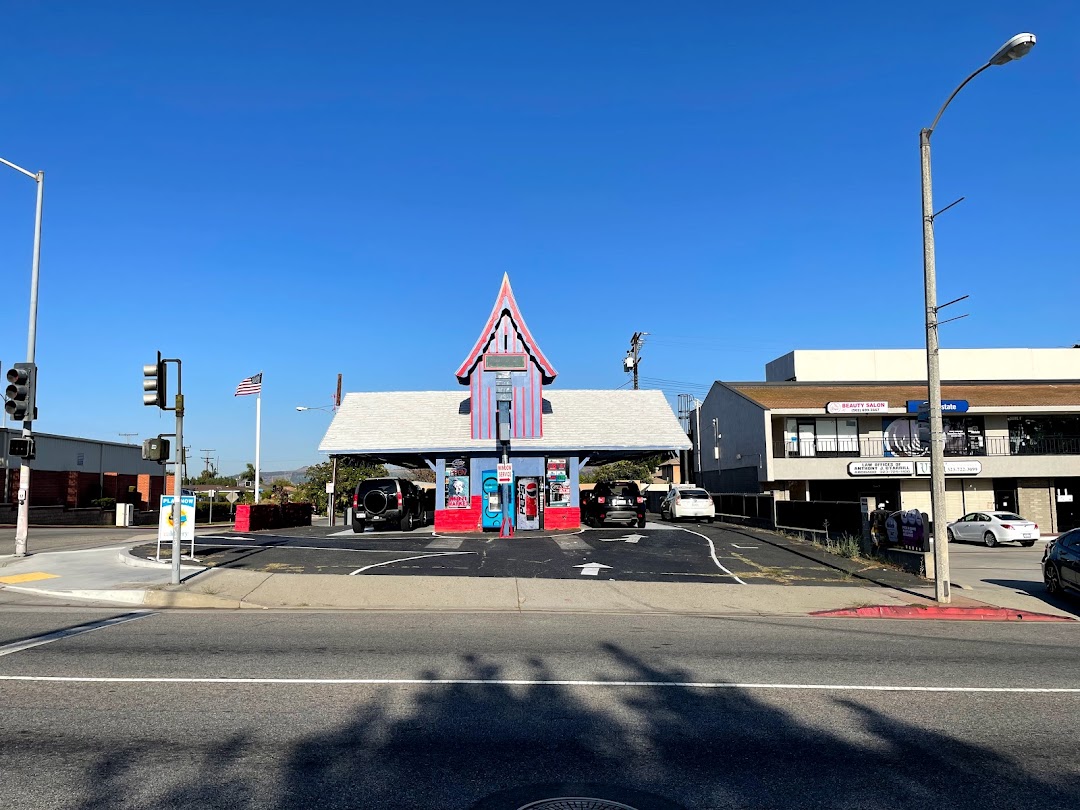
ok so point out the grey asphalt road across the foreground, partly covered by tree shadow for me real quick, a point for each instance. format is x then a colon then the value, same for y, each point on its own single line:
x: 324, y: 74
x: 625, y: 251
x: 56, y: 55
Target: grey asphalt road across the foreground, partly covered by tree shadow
x: 705, y: 715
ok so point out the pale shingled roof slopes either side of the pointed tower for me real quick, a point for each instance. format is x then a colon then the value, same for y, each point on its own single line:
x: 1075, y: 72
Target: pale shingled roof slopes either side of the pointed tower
x: 436, y: 423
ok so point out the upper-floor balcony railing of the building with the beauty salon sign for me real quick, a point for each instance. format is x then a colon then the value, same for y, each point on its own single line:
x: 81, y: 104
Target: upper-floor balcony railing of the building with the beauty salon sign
x: 954, y: 449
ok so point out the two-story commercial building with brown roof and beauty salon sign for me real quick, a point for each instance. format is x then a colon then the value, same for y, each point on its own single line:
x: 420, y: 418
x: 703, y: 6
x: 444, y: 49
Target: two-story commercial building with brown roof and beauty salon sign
x: 844, y: 425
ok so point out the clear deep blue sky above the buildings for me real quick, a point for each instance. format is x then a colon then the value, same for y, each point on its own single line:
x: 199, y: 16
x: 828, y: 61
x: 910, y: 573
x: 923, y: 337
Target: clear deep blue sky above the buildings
x: 307, y: 190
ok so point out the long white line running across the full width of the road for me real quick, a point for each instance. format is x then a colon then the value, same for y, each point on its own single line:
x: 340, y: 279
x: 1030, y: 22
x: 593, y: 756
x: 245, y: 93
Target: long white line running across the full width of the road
x: 526, y: 682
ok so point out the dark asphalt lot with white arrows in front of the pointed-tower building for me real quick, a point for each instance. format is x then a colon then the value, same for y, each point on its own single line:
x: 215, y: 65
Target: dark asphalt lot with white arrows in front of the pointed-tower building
x: 660, y: 552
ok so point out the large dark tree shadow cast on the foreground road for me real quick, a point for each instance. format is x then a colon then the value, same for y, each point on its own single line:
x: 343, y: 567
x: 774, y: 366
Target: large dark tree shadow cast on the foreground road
x: 449, y: 747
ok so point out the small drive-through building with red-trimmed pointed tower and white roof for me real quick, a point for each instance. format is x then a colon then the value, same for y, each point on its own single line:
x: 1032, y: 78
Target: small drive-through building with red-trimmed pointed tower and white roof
x: 506, y: 447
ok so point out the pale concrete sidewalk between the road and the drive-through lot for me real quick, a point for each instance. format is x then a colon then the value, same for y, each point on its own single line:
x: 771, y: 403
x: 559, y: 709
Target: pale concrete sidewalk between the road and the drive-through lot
x: 114, y: 575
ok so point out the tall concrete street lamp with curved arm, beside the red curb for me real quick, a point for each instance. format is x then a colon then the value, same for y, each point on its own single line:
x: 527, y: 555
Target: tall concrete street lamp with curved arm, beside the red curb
x: 1015, y: 49
